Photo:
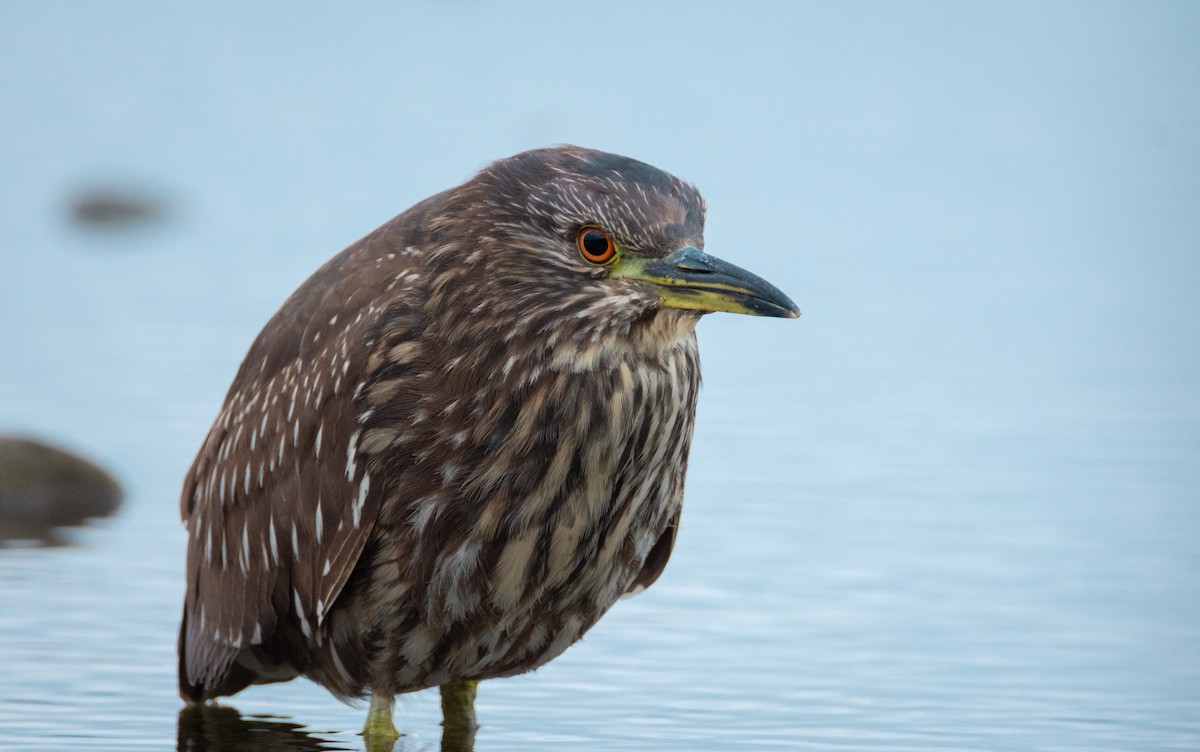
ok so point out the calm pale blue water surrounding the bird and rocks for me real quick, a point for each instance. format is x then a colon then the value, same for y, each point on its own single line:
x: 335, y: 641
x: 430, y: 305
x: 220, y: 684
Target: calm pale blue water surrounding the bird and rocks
x: 955, y: 507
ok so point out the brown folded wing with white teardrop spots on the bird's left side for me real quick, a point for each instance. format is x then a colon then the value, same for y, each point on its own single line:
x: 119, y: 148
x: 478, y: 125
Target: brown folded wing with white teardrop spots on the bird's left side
x: 279, y: 503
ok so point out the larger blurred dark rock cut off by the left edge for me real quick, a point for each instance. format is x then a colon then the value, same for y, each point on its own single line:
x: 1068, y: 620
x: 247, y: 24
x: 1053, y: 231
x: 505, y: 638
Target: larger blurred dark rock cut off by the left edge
x: 44, y: 489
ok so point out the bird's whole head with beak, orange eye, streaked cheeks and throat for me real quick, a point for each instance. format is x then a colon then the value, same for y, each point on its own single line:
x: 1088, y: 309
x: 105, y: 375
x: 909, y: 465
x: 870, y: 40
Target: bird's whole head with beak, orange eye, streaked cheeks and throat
x: 581, y: 249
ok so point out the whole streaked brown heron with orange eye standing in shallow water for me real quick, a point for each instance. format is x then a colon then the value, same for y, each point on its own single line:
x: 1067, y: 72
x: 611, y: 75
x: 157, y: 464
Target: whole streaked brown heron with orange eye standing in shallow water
x: 461, y: 441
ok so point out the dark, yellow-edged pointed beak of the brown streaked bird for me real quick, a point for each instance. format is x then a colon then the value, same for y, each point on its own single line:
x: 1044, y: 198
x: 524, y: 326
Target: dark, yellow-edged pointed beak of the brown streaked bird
x: 693, y: 280
